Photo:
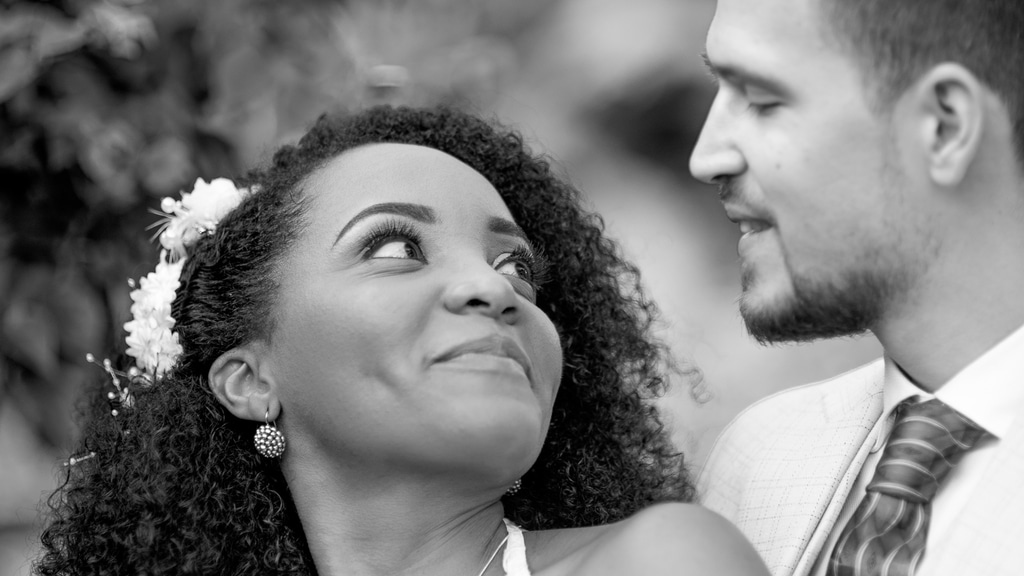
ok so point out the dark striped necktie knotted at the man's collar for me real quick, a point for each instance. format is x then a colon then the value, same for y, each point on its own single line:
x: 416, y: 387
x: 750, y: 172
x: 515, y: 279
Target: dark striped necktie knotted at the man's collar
x: 886, y: 536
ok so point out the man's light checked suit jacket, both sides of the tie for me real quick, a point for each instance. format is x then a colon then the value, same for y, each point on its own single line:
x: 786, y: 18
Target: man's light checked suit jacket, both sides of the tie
x: 784, y: 469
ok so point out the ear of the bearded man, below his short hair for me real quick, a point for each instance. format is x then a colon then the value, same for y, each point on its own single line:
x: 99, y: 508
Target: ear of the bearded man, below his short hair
x: 952, y: 103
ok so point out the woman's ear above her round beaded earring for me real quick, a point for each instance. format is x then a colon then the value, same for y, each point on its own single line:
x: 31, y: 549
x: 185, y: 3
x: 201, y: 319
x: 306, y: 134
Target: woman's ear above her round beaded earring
x: 241, y: 387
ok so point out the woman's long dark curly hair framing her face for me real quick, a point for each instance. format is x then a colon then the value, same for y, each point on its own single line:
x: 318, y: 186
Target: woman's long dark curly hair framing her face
x: 177, y: 487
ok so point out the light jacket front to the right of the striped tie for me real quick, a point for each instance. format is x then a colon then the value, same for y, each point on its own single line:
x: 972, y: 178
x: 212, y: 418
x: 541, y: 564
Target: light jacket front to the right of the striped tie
x: 989, y: 537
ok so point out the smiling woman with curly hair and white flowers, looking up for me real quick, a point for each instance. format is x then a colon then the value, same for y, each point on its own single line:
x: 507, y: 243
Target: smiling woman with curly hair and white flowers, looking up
x: 426, y: 315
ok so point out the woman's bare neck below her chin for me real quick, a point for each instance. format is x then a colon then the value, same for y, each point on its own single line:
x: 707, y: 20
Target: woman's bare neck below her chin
x: 388, y: 527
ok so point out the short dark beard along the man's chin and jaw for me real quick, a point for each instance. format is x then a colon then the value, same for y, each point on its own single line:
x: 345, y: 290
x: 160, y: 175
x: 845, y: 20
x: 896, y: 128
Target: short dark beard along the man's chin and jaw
x: 819, y: 310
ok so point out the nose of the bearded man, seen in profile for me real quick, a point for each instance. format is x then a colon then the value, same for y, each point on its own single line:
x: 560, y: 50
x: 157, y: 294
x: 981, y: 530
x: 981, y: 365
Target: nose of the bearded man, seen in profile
x: 715, y: 155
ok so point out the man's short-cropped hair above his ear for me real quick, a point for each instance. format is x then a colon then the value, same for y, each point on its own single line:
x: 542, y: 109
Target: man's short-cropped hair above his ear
x: 897, y: 42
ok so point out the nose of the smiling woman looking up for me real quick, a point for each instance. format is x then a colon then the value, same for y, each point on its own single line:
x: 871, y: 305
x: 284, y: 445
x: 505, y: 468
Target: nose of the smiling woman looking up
x: 481, y: 290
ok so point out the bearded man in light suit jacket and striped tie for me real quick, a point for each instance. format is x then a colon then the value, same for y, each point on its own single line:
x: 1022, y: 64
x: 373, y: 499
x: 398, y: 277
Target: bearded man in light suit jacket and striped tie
x: 873, y: 154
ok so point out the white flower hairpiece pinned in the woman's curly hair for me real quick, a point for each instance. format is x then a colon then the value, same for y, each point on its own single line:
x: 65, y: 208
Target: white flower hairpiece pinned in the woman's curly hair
x: 152, y: 341
